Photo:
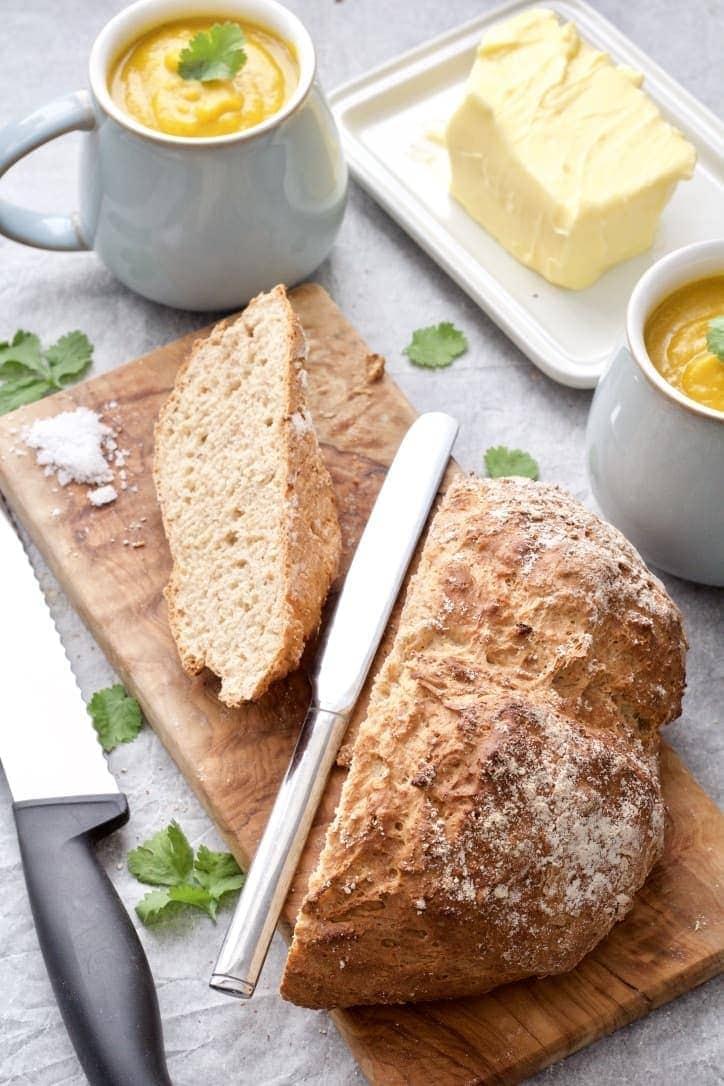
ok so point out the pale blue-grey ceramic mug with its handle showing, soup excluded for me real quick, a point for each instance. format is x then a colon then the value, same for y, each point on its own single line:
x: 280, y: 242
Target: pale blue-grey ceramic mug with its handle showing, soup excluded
x: 199, y: 224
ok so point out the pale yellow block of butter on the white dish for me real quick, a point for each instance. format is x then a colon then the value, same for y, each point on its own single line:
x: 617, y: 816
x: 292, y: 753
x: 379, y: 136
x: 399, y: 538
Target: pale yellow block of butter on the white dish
x: 560, y: 154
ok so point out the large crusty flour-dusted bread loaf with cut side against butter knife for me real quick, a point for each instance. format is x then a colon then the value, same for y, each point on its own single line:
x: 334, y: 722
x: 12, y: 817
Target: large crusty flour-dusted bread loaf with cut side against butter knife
x: 503, y: 804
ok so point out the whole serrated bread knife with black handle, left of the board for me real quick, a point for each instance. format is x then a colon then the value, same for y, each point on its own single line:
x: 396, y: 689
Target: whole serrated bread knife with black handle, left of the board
x: 65, y: 799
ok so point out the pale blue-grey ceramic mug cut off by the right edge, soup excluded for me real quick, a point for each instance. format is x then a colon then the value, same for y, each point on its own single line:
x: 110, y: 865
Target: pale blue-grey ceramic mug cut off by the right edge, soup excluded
x: 655, y: 458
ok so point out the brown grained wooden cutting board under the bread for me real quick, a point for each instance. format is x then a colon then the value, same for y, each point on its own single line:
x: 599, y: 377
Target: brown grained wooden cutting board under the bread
x: 113, y: 564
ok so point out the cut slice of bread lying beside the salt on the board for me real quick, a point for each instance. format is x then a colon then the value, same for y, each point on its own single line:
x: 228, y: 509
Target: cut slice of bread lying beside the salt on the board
x: 247, y: 502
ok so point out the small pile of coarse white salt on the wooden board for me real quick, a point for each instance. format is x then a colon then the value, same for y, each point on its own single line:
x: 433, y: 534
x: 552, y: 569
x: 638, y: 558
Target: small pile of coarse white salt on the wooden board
x: 75, y: 446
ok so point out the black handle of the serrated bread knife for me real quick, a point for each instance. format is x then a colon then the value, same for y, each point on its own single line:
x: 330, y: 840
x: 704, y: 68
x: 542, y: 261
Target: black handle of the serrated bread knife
x: 95, y: 961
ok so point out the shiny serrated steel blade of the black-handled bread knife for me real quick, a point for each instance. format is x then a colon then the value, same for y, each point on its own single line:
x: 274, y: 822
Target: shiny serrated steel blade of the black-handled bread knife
x: 48, y: 747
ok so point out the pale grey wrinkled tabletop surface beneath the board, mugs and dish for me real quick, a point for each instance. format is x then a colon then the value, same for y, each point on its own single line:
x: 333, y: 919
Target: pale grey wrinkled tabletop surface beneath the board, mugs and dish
x: 387, y: 287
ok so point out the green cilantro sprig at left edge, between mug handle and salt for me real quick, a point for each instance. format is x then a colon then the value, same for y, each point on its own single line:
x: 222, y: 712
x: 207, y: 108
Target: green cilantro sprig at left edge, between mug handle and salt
x: 28, y: 373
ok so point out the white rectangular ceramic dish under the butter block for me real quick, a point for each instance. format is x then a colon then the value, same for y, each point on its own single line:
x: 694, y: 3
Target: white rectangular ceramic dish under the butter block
x: 388, y: 121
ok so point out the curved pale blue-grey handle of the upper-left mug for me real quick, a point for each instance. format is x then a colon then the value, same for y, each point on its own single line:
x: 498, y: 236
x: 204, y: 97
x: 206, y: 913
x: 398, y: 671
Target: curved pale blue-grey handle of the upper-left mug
x: 18, y: 140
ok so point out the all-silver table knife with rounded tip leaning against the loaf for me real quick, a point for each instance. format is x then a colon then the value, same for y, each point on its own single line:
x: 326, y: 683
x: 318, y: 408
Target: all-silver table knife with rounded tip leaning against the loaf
x: 344, y: 661
